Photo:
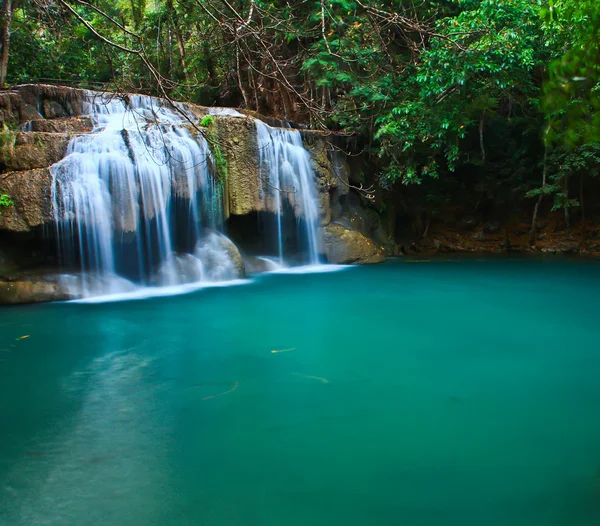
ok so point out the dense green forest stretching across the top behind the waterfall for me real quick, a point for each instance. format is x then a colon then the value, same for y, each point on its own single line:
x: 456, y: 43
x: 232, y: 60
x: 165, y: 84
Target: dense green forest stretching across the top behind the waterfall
x: 452, y: 95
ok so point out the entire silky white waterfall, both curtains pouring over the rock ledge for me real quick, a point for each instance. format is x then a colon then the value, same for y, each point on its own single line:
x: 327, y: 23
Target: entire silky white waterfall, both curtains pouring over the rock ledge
x: 136, y: 202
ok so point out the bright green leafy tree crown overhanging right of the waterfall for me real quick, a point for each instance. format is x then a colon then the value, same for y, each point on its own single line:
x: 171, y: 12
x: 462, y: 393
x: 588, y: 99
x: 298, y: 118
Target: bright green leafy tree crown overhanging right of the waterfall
x: 479, y: 70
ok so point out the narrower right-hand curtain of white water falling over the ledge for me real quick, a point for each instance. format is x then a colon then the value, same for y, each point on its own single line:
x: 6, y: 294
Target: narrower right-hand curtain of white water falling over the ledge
x: 286, y: 174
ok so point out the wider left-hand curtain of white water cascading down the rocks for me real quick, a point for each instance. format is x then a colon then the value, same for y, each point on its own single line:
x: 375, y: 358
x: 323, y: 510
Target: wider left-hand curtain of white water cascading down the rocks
x: 132, y: 198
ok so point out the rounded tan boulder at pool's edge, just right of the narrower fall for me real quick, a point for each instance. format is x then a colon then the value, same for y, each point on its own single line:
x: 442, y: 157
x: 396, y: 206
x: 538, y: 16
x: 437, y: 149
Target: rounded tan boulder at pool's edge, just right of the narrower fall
x: 344, y: 245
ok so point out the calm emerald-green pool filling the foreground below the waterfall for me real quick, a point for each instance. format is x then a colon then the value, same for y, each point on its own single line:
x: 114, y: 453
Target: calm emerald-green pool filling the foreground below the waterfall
x: 444, y: 393
